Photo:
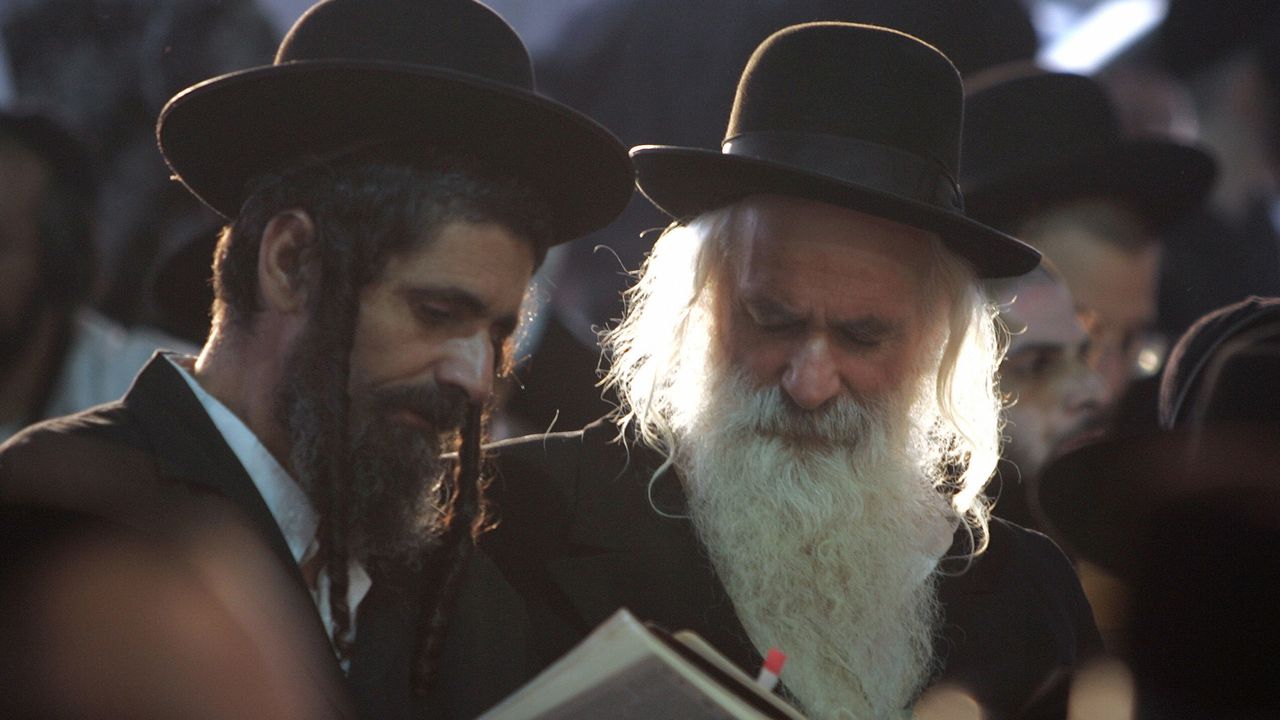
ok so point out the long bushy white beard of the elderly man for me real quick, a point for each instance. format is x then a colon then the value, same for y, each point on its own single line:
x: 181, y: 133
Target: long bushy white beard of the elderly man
x: 826, y: 532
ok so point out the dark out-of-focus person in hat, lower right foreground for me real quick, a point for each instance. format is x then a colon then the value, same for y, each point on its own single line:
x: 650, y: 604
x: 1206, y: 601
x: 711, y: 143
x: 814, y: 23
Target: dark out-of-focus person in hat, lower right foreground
x: 1186, y: 521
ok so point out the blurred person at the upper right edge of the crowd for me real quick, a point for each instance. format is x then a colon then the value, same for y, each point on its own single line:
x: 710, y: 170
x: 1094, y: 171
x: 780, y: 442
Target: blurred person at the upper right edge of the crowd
x: 1227, y: 56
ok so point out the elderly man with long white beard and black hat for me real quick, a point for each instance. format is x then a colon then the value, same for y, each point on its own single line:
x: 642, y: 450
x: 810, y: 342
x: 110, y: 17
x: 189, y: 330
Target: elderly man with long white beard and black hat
x: 810, y: 417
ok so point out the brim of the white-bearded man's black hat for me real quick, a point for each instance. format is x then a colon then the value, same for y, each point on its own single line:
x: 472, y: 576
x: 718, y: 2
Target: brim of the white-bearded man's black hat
x: 688, y: 181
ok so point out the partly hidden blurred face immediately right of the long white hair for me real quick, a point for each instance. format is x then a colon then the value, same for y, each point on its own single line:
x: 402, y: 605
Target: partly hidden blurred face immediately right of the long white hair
x: 1058, y: 394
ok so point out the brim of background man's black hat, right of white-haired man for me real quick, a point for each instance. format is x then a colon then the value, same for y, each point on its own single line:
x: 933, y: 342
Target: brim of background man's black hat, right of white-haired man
x: 1162, y: 180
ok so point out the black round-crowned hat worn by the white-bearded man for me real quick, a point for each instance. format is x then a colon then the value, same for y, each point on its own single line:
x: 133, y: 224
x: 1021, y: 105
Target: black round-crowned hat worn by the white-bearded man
x: 856, y: 116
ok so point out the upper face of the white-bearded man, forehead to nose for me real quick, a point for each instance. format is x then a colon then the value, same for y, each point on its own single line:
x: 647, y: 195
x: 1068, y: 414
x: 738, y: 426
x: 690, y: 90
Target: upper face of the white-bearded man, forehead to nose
x: 825, y: 302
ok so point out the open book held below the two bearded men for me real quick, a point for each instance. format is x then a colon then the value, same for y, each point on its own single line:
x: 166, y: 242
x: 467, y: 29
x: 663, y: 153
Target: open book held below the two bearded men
x: 627, y: 671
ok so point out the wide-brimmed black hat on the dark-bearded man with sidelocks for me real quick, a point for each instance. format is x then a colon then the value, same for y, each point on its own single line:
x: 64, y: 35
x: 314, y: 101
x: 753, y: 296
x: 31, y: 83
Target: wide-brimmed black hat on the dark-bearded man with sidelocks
x: 447, y: 74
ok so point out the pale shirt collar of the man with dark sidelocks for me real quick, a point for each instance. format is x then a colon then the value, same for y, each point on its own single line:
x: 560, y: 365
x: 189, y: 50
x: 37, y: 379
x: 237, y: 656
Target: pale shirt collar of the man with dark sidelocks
x: 285, y: 499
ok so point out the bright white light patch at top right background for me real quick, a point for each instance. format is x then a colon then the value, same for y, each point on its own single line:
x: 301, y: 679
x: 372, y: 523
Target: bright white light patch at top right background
x: 1086, y: 44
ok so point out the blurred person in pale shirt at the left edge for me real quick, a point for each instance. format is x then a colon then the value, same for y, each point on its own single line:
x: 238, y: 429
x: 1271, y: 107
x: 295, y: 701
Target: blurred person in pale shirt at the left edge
x: 57, y: 354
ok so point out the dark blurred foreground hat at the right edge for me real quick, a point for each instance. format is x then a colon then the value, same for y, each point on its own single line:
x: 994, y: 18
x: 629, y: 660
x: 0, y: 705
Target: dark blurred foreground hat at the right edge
x: 1220, y: 411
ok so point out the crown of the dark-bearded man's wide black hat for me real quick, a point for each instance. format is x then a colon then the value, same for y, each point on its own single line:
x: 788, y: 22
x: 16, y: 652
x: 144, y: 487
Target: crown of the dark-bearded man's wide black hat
x: 445, y: 35
